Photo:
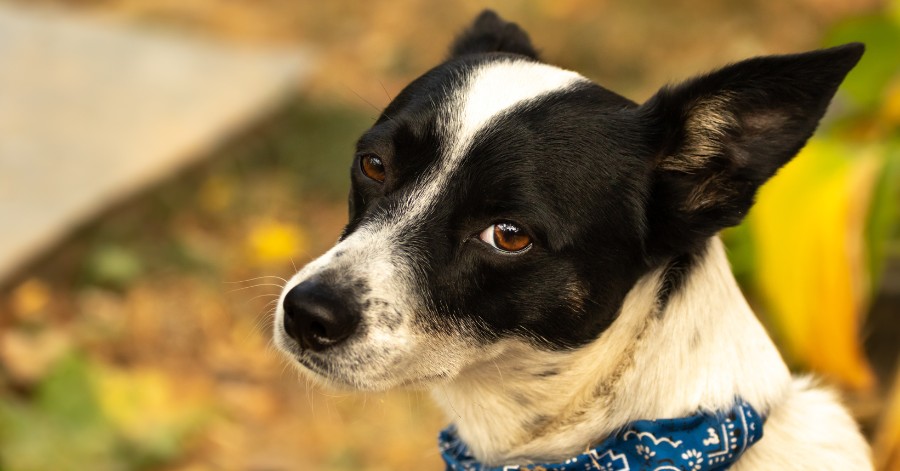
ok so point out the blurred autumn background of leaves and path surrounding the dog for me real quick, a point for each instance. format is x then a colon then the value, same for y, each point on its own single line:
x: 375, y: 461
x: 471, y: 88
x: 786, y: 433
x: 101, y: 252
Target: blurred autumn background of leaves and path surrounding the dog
x: 165, y: 164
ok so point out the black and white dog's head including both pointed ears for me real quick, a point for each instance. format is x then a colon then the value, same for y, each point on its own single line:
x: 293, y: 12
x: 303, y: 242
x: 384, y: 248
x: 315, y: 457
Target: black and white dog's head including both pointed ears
x: 500, y: 199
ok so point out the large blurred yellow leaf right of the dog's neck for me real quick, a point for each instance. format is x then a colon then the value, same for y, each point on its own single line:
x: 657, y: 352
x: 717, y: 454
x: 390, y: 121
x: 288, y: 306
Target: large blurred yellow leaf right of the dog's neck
x: 808, y: 227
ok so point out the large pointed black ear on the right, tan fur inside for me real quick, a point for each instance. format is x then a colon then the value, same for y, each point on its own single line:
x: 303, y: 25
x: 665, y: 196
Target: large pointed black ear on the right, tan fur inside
x: 718, y: 137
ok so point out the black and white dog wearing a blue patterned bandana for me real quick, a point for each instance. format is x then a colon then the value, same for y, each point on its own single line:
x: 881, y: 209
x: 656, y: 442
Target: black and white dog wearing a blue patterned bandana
x: 542, y: 254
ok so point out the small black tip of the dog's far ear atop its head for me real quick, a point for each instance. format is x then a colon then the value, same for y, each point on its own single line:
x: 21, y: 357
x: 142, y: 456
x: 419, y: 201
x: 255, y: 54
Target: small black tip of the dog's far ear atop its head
x: 490, y: 33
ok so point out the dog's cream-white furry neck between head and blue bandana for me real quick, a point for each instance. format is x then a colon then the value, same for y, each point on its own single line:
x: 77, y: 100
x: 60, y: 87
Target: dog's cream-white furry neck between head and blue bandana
x: 701, y: 350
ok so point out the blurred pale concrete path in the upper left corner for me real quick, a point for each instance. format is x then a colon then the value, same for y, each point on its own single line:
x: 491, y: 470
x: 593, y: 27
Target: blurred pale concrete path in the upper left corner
x: 91, y: 112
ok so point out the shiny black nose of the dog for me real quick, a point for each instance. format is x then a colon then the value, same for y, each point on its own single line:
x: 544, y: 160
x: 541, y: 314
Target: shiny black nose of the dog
x: 317, y: 317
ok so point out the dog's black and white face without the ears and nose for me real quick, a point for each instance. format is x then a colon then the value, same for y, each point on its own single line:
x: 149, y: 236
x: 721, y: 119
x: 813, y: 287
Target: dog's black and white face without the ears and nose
x: 462, y: 230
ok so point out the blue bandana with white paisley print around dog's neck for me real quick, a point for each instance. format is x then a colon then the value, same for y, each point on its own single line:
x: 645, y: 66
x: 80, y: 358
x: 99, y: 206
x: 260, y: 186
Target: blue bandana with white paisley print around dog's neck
x: 701, y: 442
